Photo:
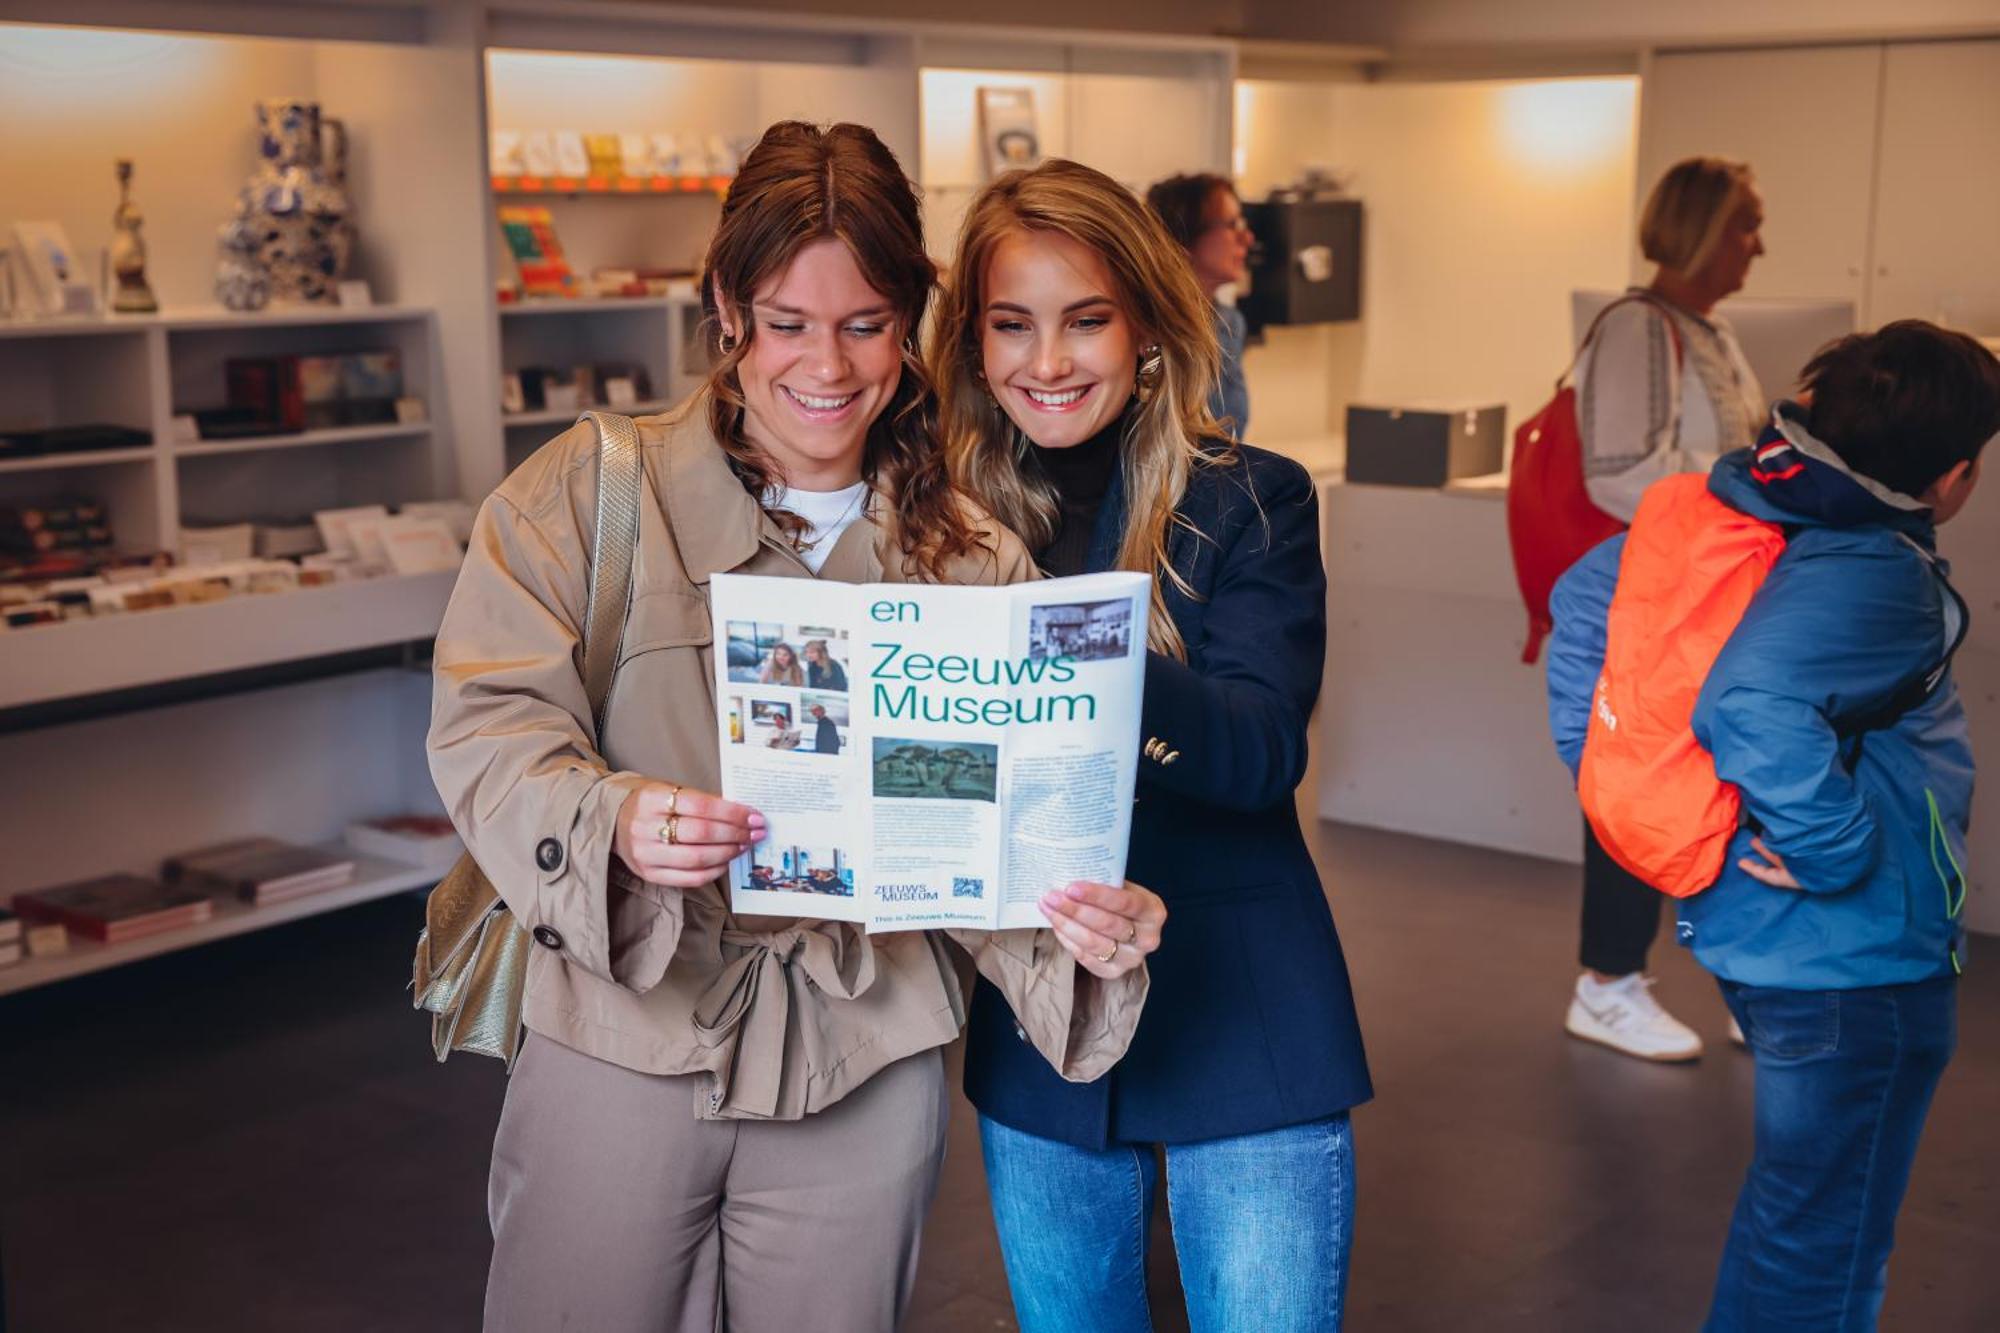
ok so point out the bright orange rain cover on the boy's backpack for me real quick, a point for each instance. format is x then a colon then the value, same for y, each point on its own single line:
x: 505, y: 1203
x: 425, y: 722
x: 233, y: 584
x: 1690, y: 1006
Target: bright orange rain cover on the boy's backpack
x: 1649, y: 790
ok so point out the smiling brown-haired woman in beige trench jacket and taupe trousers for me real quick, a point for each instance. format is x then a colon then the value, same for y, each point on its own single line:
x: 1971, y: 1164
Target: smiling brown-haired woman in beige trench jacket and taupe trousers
x: 719, y: 1120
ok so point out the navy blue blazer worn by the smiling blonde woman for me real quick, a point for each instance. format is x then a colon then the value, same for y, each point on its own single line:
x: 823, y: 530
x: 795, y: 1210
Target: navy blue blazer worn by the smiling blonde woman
x: 1251, y: 1022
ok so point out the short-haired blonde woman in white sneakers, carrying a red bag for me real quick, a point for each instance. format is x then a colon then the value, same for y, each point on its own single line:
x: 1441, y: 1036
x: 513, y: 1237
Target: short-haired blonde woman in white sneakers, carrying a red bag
x: 1661, y: 387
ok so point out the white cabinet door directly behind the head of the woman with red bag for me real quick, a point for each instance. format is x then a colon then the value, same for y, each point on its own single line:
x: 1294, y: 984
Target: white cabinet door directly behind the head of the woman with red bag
x: 1805, y: 119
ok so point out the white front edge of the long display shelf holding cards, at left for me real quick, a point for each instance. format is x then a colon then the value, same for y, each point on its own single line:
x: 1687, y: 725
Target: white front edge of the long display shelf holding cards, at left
x: 147, y: 647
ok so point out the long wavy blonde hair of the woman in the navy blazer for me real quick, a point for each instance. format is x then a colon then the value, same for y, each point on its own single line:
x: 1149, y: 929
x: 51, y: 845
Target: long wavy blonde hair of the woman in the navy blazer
x: 1169, y: 433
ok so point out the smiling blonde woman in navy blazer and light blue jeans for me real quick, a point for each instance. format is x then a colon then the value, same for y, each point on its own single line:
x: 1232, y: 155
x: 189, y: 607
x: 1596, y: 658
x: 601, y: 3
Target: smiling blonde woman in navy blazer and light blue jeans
x: 1075, y: 357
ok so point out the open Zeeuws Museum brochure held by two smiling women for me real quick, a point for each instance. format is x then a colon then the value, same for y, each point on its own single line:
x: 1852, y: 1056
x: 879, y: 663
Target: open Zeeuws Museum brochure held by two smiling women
x: 929, y: 756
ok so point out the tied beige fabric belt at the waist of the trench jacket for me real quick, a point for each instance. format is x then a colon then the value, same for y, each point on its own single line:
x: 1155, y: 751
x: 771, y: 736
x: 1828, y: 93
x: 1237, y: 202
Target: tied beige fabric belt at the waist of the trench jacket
x: 747, y: 1010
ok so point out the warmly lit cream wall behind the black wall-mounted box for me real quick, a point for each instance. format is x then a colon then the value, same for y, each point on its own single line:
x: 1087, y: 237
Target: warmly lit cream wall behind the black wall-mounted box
x: 1487, y: 203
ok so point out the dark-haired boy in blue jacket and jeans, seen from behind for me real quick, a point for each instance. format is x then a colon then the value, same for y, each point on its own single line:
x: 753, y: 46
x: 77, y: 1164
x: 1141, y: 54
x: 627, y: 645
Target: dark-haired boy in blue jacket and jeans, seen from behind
x: 1833, y: 928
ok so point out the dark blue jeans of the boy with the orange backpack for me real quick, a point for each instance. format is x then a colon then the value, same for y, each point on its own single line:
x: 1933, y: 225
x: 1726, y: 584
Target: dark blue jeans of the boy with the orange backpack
x: 1843, y: 1086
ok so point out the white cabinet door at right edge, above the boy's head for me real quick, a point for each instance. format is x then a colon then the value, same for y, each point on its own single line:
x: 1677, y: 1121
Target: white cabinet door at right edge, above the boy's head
x: 1937, y: 253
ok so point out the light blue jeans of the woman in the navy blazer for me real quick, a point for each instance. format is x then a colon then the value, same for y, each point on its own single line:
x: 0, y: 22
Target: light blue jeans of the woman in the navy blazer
x: 1263, y: 1228
